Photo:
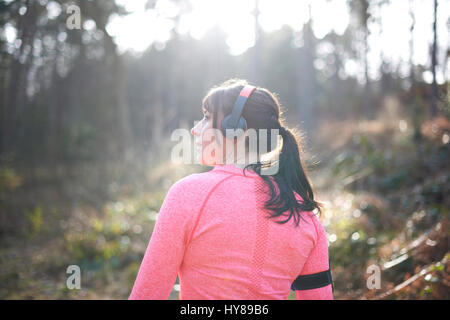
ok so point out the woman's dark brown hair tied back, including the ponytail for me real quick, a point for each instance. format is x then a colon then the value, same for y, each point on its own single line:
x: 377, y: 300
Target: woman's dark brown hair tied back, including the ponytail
x: 263, y: 111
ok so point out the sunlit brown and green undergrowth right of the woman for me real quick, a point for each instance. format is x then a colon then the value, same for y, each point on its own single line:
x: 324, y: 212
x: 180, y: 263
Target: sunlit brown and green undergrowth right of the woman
x: 387, y: 200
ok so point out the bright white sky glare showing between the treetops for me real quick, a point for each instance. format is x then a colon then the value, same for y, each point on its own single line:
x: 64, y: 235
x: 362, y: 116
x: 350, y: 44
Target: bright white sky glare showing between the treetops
x: 141, y: 27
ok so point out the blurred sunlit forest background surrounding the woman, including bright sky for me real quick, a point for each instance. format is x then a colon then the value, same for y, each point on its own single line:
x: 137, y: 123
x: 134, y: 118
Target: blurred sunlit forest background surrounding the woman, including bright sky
x: 88, y: 103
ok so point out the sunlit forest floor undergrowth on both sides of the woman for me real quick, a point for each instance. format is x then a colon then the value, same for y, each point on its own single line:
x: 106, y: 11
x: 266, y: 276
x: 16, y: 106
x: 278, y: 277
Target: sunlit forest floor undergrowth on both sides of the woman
x: 386, y: 202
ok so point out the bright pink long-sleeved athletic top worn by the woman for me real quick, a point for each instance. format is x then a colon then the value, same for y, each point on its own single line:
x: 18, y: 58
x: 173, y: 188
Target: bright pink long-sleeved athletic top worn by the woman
x: 213, y: 233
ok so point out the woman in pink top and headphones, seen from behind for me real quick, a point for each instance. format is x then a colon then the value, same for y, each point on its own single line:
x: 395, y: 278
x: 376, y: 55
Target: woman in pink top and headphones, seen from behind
x: 234, y: 232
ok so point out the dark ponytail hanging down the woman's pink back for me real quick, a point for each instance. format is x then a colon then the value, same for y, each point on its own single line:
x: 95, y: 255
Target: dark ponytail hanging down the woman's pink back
x: 290, y: 178
